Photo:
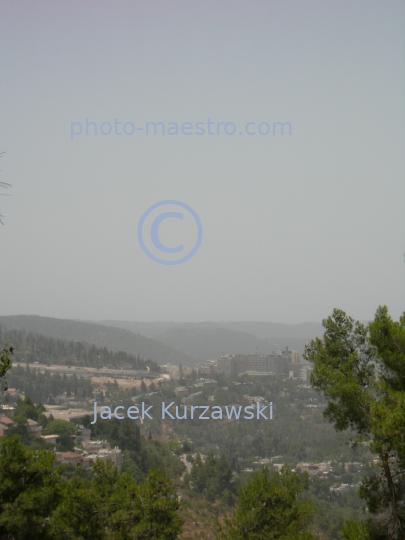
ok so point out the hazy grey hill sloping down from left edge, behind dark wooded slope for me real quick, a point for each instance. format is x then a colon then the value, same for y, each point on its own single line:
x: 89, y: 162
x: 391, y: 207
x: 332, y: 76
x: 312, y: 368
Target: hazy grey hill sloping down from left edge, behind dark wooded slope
x: 114, y: 339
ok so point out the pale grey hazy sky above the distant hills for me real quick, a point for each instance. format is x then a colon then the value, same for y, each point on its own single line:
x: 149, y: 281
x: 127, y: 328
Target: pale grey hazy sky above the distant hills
x: 292, y: 225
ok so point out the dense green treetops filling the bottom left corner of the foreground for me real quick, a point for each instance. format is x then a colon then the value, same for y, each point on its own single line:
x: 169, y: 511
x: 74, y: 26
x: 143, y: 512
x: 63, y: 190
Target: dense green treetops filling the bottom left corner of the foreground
x: 37, y: 503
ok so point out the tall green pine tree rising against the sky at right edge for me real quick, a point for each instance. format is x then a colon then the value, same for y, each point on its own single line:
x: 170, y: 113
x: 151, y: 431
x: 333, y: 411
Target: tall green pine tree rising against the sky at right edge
x: 361, y: 370
